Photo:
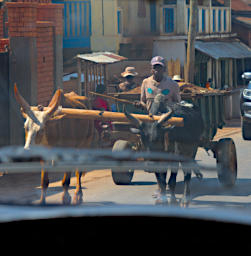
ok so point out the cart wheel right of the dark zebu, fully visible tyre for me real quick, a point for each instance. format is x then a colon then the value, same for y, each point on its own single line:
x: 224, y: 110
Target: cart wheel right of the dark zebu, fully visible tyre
x: 226, y: 162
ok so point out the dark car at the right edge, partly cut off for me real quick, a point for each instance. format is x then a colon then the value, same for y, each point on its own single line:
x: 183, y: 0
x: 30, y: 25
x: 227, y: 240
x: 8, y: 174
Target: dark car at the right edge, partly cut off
x: 245, y: 106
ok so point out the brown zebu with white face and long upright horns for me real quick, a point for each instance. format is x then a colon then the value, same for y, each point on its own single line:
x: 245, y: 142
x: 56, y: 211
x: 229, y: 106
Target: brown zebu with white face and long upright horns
x: 41, y: 128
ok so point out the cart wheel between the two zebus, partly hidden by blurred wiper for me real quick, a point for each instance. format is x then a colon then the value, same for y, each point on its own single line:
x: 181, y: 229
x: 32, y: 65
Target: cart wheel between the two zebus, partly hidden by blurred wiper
x: 122, y: 178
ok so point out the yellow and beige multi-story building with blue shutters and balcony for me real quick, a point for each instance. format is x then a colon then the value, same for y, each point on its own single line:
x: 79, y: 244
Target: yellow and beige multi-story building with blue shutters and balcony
x: 139, y: 29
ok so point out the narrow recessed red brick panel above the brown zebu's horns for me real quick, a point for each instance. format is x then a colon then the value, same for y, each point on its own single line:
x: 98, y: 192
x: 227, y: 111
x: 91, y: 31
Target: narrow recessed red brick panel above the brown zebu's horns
x: 45, y: 62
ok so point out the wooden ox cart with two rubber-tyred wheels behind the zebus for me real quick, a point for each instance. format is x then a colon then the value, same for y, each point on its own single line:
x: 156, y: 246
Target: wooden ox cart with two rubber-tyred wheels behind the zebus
x: 211, y: 104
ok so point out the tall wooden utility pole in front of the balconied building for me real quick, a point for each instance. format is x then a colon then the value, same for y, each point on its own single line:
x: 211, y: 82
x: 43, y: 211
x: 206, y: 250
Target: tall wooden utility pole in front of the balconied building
x: 189, y: 72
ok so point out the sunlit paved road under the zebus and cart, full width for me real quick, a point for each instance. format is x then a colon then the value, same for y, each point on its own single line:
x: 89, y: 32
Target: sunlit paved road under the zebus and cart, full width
x: 99, y: 188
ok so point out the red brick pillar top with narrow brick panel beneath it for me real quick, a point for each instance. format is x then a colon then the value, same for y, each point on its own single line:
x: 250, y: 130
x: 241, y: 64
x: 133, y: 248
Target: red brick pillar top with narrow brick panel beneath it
x: 42, y: 20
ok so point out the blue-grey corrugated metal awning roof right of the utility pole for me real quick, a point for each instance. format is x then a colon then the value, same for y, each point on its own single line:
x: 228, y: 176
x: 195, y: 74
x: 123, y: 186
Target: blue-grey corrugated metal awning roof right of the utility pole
x: 224, y: 50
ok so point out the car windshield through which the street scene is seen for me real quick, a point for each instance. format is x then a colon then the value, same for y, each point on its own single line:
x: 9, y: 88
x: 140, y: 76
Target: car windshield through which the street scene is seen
x: 124, y: 103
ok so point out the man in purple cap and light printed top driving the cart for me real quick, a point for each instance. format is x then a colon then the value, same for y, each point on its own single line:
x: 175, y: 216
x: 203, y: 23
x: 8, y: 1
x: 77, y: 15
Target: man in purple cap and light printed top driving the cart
x: 158, y: 83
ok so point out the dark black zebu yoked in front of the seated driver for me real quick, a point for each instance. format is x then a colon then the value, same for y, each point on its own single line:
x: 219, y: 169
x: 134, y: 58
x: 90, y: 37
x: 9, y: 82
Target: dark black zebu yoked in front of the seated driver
x: 180, y: 140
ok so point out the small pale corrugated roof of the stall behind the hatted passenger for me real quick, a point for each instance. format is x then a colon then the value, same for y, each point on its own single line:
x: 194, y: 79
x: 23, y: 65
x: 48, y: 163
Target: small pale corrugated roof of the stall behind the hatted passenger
x: 102, y: 57
